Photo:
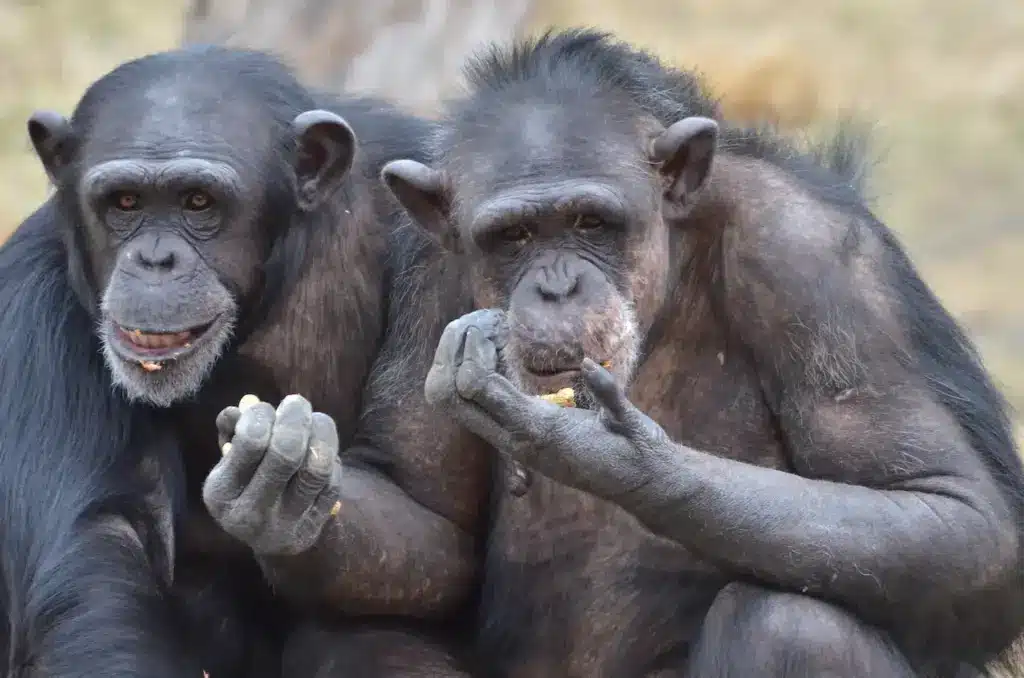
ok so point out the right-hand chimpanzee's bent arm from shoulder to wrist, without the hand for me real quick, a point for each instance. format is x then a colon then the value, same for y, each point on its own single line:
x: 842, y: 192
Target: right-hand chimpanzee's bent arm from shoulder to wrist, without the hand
x: 891, y: 504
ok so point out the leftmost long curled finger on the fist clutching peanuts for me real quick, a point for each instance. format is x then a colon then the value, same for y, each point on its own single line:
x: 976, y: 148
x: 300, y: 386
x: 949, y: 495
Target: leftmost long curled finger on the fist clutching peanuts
x: 235, y: 472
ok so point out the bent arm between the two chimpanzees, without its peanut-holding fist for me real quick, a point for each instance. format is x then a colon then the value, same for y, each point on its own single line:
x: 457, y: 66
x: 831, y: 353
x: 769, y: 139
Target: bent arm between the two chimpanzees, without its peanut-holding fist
x: 411, y: 491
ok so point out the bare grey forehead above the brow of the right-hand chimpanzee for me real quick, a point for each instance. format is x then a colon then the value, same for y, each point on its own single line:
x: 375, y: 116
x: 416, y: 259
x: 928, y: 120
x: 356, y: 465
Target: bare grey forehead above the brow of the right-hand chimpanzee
x: 534, y: 145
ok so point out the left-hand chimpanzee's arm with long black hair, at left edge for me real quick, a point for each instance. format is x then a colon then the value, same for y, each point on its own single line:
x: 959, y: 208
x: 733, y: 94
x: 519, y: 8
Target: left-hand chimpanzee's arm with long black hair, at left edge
x: 84, y: 556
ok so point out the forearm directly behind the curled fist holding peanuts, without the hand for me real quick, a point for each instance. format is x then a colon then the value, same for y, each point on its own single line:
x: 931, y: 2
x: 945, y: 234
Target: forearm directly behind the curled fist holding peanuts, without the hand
x: 383, y: 554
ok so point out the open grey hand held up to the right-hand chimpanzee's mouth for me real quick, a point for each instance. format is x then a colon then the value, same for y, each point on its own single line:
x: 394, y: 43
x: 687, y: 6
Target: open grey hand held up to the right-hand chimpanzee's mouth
x: 610, y: 453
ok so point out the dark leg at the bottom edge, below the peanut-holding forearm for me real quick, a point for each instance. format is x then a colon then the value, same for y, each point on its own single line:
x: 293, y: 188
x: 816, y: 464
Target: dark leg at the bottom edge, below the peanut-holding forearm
x: 368, y: 652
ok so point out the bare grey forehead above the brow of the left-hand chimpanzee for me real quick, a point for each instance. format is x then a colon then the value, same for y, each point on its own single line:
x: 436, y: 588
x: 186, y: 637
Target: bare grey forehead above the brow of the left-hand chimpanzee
x: 179, y: 118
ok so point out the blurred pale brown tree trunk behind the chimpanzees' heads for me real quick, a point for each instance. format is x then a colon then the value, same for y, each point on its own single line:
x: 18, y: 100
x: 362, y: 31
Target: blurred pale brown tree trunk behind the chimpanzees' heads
x: 408, y: 51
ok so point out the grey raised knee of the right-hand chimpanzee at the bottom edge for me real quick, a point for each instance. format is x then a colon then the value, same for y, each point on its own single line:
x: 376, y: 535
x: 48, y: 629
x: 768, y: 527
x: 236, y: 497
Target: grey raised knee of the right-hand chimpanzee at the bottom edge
x: 751, y: 632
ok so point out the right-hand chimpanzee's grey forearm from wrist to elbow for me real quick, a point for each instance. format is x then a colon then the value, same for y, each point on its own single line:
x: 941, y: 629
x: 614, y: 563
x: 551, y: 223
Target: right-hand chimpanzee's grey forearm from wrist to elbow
x: 861, y: 545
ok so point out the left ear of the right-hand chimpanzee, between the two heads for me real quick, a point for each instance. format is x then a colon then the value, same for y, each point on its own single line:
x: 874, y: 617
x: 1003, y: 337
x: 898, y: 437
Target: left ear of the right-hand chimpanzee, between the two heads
x: 423, y: 193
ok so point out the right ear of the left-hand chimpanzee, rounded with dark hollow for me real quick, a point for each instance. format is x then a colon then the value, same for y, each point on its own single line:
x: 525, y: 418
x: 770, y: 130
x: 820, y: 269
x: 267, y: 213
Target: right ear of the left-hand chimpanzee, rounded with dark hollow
x: 326, y: 150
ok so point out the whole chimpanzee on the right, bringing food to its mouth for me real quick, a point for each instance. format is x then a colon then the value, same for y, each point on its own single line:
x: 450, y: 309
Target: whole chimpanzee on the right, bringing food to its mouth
x: 786, y: 459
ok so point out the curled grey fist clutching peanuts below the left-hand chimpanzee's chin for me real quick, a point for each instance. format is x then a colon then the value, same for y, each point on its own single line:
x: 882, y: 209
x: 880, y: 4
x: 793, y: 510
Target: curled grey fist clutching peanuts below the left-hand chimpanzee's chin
x: 280, y: 480
